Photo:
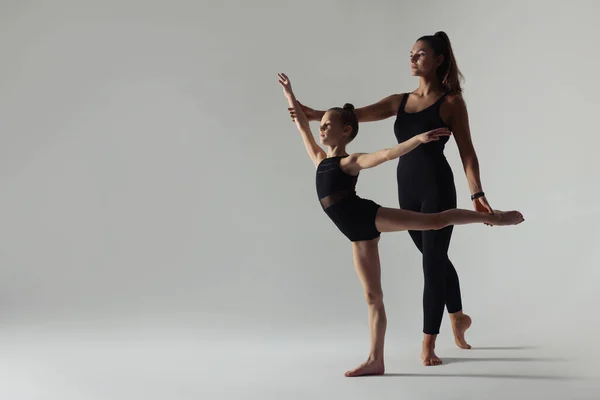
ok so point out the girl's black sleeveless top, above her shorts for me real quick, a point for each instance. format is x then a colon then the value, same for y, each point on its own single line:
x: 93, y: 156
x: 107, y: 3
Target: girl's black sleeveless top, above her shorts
x: 333, y: 184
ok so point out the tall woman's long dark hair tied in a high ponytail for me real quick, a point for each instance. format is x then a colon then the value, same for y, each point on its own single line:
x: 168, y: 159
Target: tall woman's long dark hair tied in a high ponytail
x: 448, y: 72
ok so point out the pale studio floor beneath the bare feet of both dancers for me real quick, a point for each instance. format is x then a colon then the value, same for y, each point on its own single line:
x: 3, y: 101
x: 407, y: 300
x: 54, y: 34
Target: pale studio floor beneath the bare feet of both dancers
x: 61, y: 363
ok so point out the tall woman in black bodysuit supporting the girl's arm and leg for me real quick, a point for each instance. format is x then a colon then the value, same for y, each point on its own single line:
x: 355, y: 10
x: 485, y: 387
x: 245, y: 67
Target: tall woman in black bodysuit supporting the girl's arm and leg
x: 425, y: 179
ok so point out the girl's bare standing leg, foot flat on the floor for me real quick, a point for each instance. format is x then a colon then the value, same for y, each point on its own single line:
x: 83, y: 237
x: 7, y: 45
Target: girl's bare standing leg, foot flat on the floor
x: 366, y: 262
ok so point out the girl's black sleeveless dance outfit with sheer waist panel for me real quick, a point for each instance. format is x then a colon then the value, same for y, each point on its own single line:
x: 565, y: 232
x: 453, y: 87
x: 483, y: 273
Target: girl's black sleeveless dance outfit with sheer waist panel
x: 336, y: 190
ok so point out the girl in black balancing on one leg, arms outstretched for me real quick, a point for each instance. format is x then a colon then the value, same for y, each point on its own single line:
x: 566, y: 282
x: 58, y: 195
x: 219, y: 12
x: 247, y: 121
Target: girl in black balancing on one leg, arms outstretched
x: 362, y: 220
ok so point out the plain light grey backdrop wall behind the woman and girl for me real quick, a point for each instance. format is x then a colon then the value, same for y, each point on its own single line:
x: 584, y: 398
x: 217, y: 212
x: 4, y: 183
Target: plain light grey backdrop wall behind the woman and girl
x: 150, y: 174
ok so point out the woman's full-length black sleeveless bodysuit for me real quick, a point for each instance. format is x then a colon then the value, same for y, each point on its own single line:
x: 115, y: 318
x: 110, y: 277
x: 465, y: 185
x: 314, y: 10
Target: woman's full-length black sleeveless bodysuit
x: 426, y: 184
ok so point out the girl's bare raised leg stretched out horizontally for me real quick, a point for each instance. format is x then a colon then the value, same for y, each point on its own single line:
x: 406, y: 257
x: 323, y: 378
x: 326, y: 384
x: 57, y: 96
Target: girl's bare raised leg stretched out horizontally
x: 394, y: 219
